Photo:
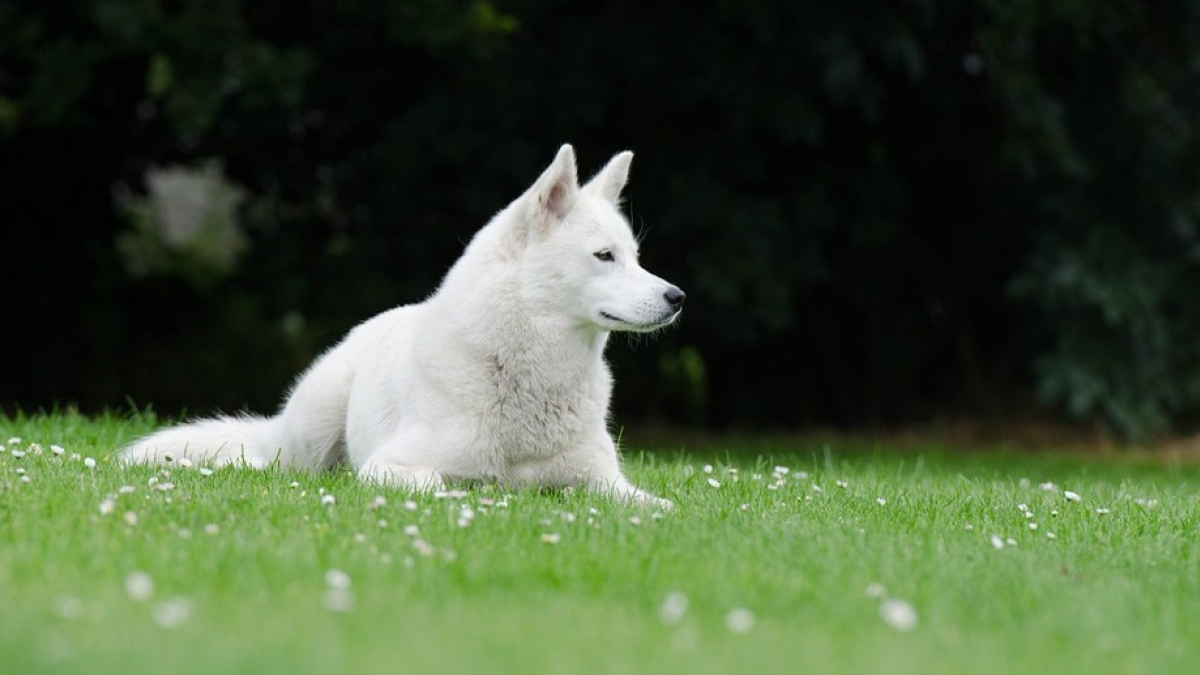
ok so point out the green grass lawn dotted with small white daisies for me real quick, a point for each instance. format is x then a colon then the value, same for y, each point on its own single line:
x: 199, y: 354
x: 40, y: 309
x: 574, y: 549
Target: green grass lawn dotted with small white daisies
x: 550, y: 583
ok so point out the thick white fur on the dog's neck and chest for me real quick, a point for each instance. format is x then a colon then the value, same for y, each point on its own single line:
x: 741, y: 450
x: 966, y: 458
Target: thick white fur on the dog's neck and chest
x: 542, y: 381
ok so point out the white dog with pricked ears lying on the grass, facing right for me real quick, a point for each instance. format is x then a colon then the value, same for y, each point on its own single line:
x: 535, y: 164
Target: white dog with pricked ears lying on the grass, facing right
x: 499, y: 377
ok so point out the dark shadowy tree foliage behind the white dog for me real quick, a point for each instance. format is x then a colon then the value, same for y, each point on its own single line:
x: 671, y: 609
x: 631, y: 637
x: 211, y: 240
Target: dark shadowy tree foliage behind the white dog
x: 881, y: 211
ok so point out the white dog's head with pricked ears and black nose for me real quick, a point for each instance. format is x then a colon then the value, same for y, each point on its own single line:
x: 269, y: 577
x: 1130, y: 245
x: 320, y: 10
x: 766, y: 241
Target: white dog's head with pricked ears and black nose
x: 580, y: 259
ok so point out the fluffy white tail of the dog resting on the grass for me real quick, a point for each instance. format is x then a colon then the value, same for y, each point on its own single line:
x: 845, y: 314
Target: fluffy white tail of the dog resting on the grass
x: 248, y: 441
